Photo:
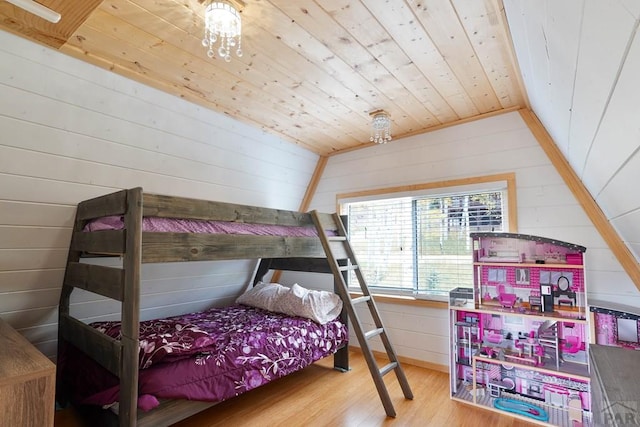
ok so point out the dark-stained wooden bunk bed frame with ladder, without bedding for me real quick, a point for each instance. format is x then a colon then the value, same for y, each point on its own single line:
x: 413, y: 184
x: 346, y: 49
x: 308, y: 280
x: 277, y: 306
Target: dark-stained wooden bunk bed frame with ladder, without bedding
x: 135, y: 246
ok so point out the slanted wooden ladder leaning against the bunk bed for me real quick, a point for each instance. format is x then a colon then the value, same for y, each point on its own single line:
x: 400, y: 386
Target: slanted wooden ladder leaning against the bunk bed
x: 342, y: 260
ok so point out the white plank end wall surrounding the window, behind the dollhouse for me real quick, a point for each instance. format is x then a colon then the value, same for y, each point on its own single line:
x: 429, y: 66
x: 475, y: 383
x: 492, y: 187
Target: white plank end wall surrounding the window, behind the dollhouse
x: 500, y: 144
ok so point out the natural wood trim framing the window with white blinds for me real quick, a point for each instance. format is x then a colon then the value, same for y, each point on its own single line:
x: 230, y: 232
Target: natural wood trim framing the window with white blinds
x: 501, y: 182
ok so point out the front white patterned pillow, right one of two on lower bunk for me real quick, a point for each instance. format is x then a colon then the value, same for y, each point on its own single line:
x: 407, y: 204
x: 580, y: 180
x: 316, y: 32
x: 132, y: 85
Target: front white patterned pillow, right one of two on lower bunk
x: 319, y: 306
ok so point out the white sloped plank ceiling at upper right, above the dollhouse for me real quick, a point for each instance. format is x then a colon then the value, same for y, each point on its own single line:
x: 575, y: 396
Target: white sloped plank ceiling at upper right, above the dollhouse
x: 580, y: 62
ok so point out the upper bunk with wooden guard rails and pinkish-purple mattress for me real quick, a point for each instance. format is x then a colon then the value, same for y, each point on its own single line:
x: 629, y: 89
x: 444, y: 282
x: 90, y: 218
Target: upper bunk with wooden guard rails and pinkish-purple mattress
x: 178, y: 229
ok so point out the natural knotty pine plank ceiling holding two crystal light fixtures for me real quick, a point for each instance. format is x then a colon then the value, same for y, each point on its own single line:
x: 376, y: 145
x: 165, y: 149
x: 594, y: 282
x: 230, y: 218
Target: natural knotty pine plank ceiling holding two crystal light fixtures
x: 311, y: 70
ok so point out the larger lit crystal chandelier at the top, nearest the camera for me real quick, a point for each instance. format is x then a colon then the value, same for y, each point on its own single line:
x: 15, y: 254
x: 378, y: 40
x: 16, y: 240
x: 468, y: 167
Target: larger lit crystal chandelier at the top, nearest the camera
x: 222, y: 23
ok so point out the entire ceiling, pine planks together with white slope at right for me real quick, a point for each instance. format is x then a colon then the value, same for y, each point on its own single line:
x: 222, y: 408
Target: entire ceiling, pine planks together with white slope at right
x: 312, y: 71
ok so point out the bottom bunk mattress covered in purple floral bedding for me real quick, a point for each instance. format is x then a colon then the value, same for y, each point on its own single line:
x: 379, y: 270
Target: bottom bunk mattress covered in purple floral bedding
x: 209, y: 356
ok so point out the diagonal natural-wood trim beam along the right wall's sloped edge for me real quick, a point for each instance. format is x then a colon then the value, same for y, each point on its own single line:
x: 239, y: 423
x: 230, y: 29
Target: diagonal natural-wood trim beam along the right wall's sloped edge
x: 591, y: 208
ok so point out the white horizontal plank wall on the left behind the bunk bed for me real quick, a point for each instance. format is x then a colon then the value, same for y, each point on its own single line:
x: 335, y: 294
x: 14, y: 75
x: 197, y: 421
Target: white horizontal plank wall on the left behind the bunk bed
x: 71, y: 131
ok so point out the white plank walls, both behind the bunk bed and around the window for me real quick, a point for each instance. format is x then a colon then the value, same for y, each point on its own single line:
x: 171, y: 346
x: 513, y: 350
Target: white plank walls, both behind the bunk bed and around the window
x: 72, y: 131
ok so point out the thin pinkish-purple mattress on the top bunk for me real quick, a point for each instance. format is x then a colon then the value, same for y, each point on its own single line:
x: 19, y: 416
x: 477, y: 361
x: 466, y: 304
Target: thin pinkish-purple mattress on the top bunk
x: 176, y: 225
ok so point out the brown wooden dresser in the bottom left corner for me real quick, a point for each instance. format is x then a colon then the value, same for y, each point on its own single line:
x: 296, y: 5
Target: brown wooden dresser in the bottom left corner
x: 27, y: 382
